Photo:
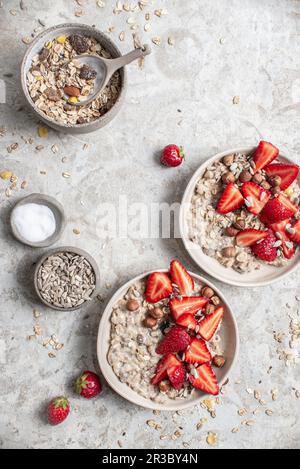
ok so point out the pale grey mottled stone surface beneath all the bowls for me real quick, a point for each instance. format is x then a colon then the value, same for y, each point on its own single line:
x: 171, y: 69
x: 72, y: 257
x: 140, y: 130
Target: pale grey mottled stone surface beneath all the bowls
x: 258, y: 60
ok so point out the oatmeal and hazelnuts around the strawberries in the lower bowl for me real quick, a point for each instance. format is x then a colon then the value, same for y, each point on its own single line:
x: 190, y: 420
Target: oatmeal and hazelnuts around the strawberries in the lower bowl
x: 138, y: 326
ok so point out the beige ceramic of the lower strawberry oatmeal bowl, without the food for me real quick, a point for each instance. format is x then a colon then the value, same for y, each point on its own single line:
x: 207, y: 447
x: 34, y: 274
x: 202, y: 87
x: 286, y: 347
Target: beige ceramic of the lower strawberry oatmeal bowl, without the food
x: 228, y: 333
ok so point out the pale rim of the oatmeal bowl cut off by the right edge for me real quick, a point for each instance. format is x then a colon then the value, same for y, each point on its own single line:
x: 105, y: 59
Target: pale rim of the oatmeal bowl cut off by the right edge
x: 182, y: 221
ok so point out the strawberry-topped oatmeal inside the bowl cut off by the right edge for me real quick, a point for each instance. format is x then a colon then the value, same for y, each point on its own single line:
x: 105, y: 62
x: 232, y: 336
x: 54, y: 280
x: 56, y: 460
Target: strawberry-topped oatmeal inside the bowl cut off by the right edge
x: 245, y: 210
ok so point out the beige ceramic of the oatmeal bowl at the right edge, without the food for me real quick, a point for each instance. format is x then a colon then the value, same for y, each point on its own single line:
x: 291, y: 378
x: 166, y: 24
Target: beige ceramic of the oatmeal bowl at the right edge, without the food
x: 265, y: 276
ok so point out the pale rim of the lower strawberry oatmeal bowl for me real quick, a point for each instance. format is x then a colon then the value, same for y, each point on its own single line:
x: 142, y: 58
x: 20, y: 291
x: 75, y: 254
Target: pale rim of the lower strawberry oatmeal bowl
x: 106, y: 368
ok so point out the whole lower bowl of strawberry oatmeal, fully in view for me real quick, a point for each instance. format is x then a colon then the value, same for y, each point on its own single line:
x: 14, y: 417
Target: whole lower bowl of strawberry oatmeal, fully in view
x: 167, y: 339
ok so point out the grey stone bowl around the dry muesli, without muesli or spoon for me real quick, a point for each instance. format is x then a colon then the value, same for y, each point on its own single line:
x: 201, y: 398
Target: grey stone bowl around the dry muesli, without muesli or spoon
x: 65, y: 30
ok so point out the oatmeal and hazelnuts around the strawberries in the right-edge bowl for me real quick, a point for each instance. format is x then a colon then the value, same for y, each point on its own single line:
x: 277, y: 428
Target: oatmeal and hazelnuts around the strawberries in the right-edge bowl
x: 217, y: 234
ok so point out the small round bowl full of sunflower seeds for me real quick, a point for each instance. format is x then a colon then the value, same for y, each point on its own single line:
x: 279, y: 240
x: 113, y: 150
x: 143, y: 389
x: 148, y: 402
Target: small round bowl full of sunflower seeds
x: 66, y: 278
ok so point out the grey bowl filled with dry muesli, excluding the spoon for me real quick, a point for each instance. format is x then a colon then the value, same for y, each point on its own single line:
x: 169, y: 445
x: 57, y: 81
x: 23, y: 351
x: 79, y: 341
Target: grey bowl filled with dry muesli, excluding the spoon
x: 53, y: 82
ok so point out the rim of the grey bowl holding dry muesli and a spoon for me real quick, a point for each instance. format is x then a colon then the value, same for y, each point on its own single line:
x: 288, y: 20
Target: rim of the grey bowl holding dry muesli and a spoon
x: 43, y: 116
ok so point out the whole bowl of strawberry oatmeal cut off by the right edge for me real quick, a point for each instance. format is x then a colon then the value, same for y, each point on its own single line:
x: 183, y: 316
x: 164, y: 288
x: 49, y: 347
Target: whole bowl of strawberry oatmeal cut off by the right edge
x: 239, y: 217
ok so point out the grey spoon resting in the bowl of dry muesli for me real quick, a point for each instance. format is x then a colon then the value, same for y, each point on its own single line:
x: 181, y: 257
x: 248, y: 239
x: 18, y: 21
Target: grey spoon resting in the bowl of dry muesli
x: 101, y: 70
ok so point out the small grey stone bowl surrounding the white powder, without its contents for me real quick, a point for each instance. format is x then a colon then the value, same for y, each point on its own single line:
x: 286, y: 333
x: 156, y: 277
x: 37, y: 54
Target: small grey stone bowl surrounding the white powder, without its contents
x: 58, y: 213
